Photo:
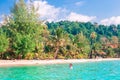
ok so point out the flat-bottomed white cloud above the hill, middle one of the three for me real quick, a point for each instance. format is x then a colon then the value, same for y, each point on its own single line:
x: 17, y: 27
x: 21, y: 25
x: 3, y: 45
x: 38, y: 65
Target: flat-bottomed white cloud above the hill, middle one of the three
x: 79, y: 17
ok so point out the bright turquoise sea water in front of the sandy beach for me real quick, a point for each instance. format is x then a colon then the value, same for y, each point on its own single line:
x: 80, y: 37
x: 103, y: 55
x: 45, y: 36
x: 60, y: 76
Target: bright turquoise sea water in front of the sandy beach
x: 106, y: 70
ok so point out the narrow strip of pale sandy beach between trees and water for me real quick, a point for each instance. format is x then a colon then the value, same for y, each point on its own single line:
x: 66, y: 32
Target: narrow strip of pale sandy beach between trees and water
x: 7, y: 63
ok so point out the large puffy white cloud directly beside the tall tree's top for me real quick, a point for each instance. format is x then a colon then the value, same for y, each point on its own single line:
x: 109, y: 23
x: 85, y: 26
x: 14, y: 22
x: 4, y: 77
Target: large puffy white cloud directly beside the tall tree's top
x: 48, y: 12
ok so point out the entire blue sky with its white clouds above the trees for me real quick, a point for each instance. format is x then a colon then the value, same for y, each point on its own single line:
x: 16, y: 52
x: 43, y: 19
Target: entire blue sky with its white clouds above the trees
x: 102, y: 11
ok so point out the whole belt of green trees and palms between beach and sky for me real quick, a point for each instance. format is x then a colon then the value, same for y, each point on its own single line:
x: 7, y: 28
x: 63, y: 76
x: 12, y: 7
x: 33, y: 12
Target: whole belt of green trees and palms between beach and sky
x: 24, y: 36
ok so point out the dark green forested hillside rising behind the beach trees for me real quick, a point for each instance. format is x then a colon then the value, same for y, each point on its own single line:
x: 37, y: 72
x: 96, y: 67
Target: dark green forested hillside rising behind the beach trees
x: 86, y: 28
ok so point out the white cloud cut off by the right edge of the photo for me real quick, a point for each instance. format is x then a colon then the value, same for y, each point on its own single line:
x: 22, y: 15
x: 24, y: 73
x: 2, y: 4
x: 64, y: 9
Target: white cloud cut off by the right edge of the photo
x: 111, y: 20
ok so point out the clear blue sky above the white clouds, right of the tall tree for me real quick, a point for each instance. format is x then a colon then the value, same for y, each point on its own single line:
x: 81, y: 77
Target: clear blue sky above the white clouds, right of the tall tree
x: 100, y: 8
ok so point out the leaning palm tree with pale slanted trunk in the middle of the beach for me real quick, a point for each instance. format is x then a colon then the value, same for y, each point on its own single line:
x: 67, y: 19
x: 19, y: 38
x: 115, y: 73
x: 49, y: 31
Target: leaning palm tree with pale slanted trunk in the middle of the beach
x: 57, y: 41
